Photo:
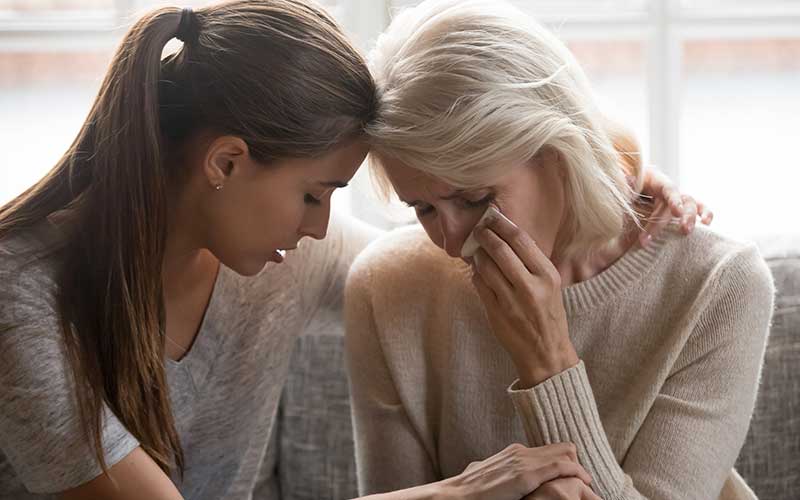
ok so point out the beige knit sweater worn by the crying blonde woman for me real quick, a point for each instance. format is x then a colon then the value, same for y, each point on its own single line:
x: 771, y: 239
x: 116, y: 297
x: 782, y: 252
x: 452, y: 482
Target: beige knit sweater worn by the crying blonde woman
x: 671, y: 340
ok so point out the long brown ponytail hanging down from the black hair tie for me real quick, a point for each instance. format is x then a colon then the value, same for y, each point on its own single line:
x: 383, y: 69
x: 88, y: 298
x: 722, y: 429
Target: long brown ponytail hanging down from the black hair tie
x: 109, y: 287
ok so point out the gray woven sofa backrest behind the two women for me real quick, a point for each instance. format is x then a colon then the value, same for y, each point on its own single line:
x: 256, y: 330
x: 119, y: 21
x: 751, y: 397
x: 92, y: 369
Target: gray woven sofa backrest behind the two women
x: 314, y: 450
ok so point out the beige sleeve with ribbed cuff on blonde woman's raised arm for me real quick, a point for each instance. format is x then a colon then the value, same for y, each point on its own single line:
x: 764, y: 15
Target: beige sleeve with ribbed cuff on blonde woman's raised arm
x: 692, y: 435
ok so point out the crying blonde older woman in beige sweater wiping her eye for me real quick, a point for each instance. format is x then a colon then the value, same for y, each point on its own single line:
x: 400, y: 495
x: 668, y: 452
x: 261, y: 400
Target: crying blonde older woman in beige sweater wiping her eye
x: 646, y: 360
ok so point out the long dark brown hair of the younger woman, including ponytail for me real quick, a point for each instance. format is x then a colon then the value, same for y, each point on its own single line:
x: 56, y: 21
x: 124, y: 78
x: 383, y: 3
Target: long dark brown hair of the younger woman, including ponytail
x: 280, y: 75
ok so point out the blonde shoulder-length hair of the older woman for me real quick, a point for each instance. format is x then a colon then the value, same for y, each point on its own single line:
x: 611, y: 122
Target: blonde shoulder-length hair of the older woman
x: 469, y: 88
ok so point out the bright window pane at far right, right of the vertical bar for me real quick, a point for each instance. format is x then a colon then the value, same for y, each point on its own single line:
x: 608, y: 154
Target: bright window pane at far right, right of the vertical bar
x: 739, y: 132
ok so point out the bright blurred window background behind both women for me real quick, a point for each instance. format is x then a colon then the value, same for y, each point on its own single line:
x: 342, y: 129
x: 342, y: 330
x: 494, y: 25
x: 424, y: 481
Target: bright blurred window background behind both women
x: 711, y: 88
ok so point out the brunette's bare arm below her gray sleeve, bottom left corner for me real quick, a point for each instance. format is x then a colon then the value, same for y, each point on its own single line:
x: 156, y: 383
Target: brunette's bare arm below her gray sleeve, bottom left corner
x: 134, y: 477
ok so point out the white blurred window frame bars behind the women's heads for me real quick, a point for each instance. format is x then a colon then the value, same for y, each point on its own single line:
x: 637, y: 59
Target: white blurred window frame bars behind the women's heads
x: 663, y: 25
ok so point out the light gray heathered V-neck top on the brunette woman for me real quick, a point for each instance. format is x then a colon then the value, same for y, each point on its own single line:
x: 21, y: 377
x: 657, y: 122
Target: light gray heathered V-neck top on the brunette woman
x: 224, y: 392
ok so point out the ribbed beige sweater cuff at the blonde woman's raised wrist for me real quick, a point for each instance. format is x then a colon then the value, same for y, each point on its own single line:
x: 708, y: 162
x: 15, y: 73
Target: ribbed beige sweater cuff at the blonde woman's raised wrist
x: 563, y: 409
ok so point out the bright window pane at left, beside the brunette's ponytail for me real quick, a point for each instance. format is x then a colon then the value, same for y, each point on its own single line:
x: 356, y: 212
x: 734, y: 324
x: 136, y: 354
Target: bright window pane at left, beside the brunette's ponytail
x: 44, y: 97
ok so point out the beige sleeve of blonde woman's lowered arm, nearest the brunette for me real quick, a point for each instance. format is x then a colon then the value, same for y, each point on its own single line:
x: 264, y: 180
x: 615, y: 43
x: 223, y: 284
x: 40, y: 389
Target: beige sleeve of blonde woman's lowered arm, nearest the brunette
x: 390, y: 452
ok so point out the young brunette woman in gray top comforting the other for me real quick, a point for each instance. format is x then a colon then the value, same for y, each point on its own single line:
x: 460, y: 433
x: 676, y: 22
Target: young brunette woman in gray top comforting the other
x: 142, y: 348
